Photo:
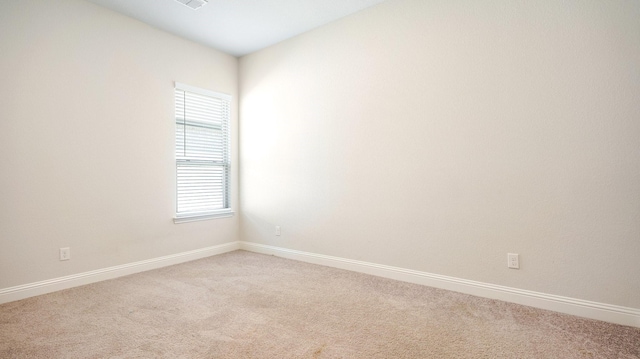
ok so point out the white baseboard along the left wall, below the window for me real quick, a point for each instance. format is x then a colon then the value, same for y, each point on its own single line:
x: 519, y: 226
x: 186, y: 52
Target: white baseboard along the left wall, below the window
x: 47, y: 286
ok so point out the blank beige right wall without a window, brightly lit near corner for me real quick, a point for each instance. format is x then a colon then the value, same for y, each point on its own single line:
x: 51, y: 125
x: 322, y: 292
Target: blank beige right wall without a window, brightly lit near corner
x: 440, y: 135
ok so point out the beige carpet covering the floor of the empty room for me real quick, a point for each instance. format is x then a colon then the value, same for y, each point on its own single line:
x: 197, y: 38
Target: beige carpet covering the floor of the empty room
x: 247, y: 305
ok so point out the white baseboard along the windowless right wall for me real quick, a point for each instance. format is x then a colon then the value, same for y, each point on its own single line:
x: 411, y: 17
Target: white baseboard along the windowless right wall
x: 583, y: 308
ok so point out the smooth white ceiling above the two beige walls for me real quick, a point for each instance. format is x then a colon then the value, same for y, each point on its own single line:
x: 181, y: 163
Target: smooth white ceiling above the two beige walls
x: 238, y: 27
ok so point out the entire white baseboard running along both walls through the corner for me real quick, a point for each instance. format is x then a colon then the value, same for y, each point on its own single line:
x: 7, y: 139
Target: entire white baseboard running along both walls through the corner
x: 587, y: 309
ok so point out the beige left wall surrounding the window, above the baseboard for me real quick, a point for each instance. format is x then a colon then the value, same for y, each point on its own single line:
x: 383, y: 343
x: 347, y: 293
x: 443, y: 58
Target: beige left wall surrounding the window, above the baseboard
x: 86, y: 139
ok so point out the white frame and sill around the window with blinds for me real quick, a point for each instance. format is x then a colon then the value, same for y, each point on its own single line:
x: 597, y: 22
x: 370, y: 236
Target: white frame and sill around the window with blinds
x: 183, y: 160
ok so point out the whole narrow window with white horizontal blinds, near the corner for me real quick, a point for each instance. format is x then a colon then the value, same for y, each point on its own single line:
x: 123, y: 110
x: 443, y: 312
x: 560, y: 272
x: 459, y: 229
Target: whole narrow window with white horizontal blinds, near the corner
x: 202, y: 154
